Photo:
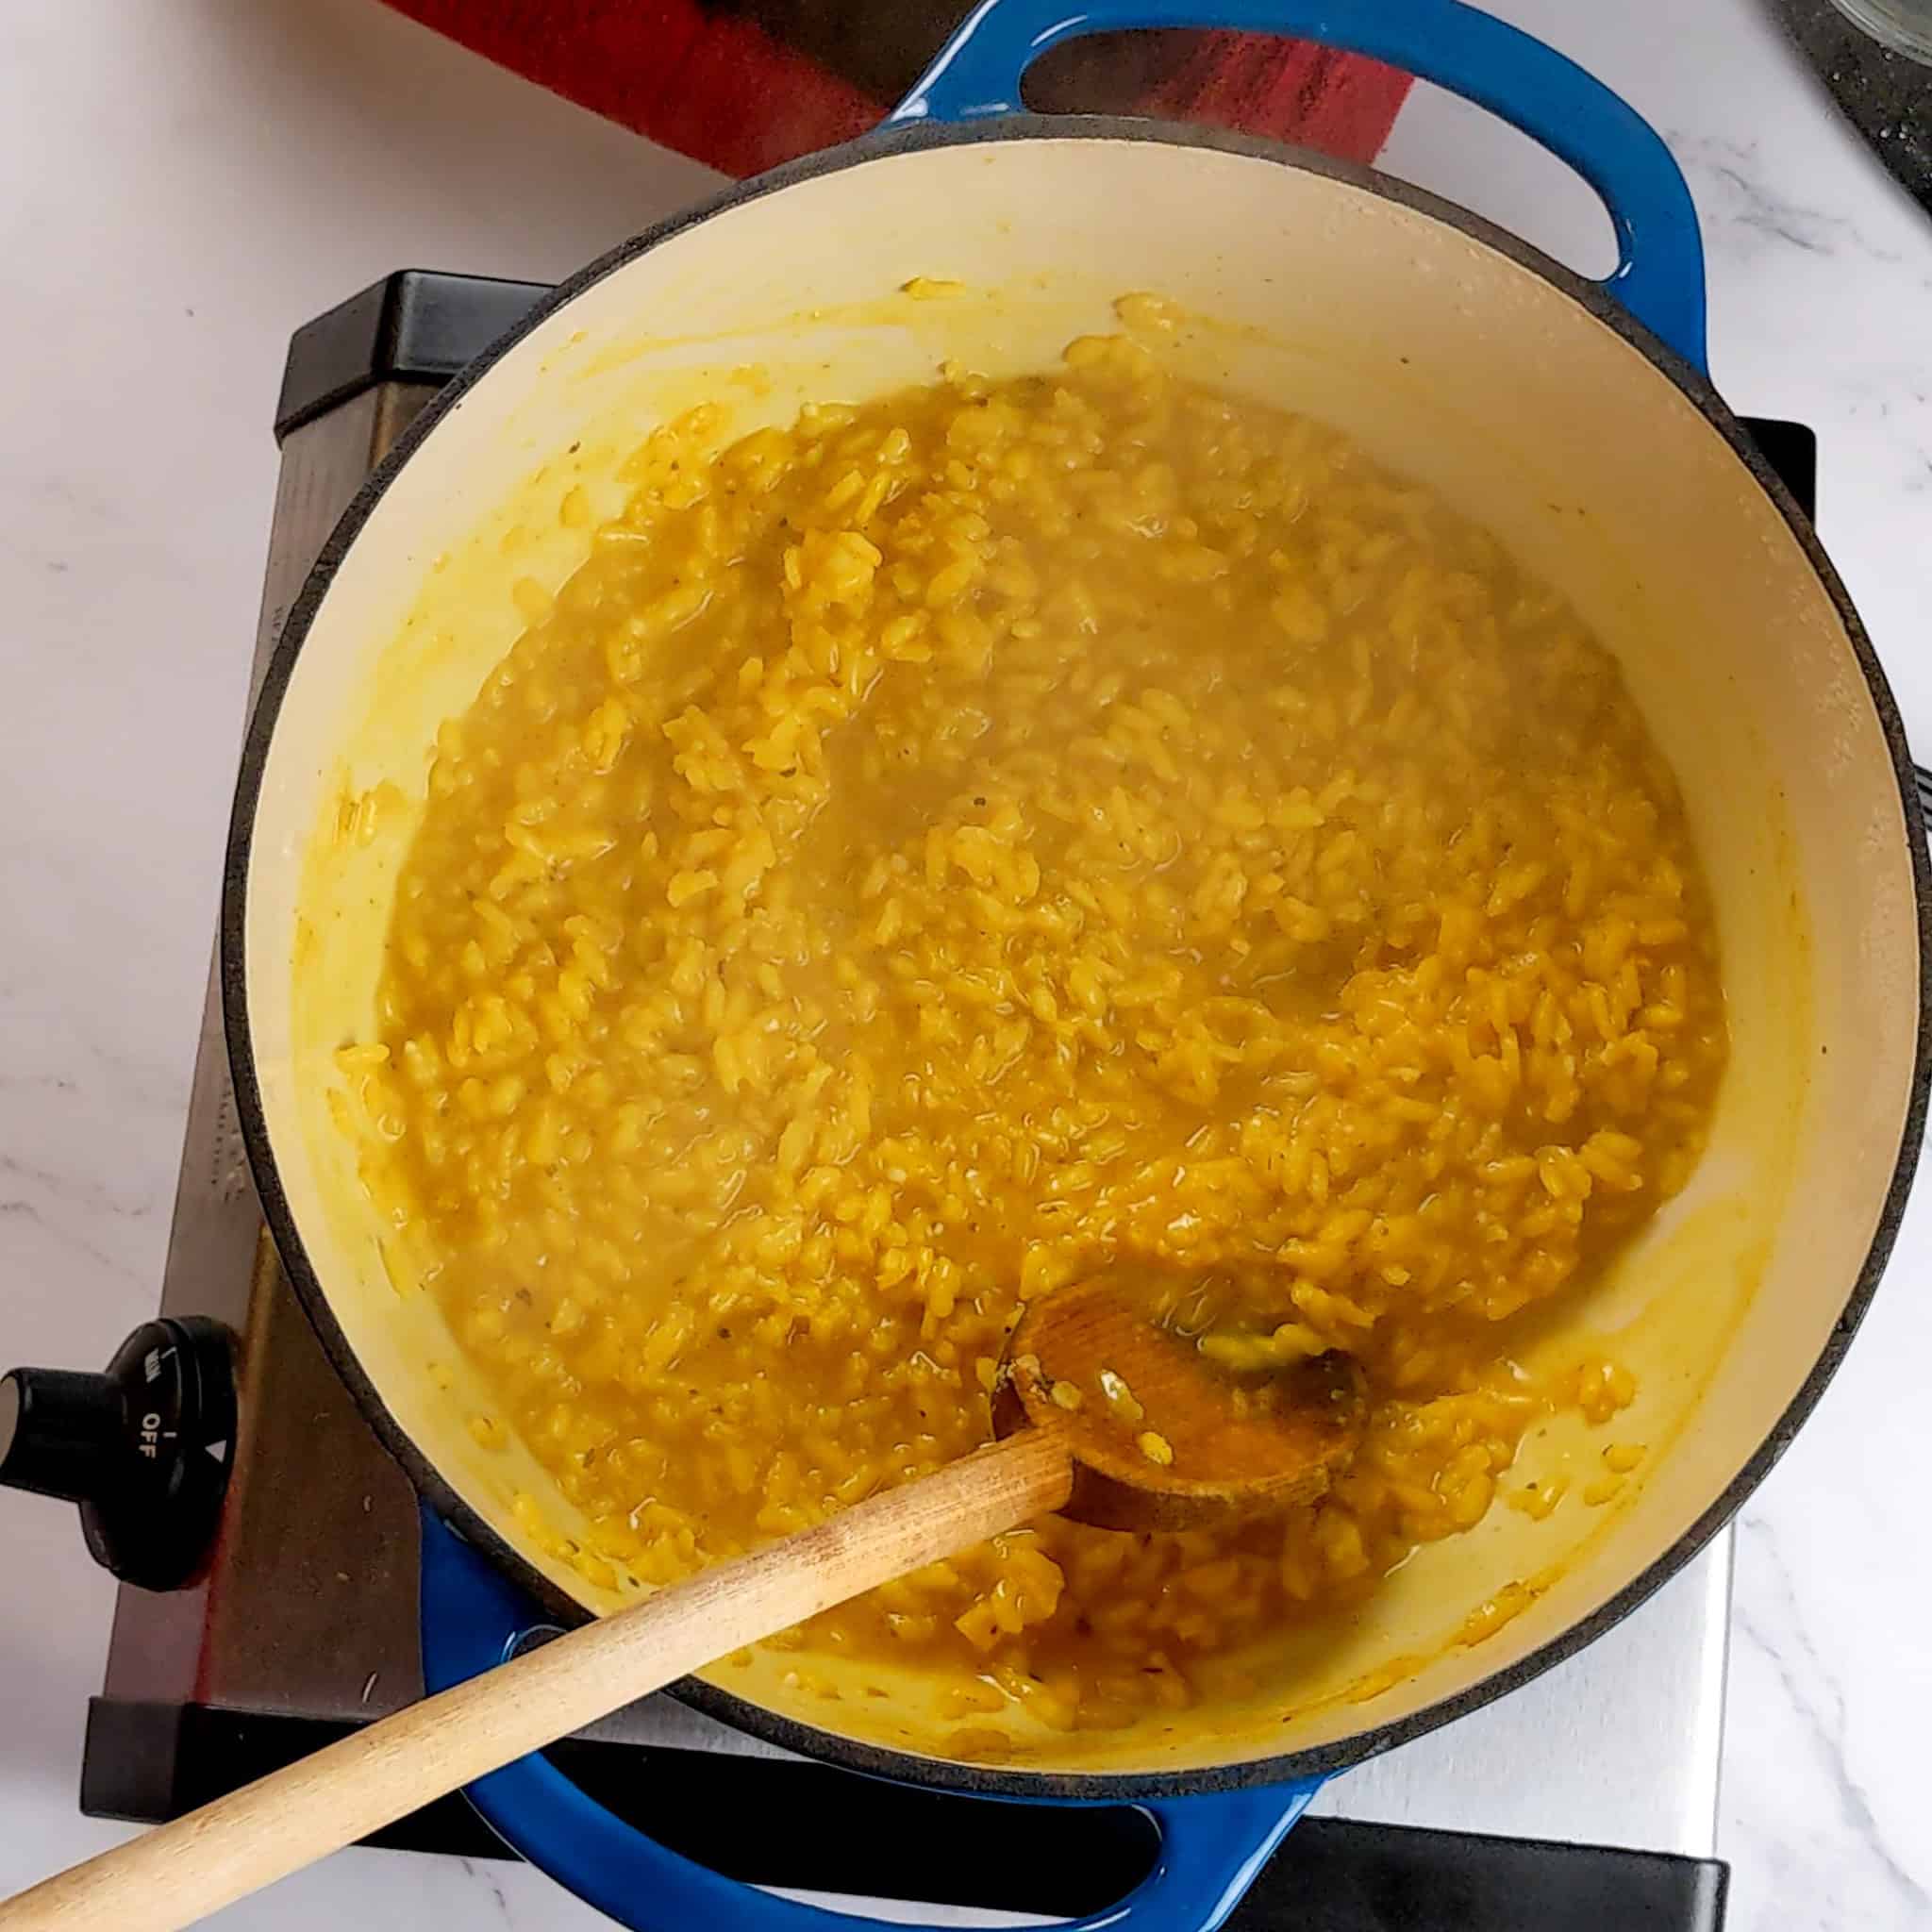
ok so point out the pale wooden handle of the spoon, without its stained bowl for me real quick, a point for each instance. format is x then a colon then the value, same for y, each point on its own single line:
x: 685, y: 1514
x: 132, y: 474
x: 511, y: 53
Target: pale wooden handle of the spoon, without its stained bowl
x: 194, y: 1865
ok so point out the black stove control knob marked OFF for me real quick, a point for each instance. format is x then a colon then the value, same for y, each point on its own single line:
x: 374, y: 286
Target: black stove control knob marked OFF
x: 144, y: 1448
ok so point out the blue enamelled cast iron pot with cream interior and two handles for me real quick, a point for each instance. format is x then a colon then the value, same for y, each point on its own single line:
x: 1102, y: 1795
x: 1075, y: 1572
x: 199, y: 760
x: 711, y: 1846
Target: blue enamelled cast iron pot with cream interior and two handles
x: 1574, y: 418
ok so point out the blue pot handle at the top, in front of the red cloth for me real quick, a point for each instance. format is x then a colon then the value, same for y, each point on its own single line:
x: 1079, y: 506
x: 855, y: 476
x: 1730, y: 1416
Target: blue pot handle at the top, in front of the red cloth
x: 1661, y: 256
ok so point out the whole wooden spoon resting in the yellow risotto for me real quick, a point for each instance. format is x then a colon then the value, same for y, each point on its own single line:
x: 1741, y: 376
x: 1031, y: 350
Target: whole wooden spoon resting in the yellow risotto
x: 1087, y: 1460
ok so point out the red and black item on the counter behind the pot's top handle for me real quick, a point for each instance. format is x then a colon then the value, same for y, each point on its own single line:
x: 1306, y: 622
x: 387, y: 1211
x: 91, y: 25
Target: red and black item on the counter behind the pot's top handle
x: 747, y: 84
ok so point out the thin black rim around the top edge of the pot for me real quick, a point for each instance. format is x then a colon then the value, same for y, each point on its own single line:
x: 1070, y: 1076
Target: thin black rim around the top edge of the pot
x: 809, y: 1740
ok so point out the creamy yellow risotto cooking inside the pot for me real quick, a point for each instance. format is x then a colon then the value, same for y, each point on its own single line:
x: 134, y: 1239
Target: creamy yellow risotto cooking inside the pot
x: 1006, y: 832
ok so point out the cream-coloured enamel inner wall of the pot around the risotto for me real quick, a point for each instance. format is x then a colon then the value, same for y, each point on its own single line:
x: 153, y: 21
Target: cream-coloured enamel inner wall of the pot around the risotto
x: 1450, y: 362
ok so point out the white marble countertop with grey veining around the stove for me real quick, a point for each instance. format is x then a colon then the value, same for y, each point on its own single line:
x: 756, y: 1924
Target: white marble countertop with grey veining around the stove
x: 188, y: 183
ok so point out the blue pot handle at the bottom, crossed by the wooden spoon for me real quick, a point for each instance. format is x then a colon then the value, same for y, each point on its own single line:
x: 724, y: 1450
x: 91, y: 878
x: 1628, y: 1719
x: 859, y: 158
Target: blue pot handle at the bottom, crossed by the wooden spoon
x: 474, y: 1620
